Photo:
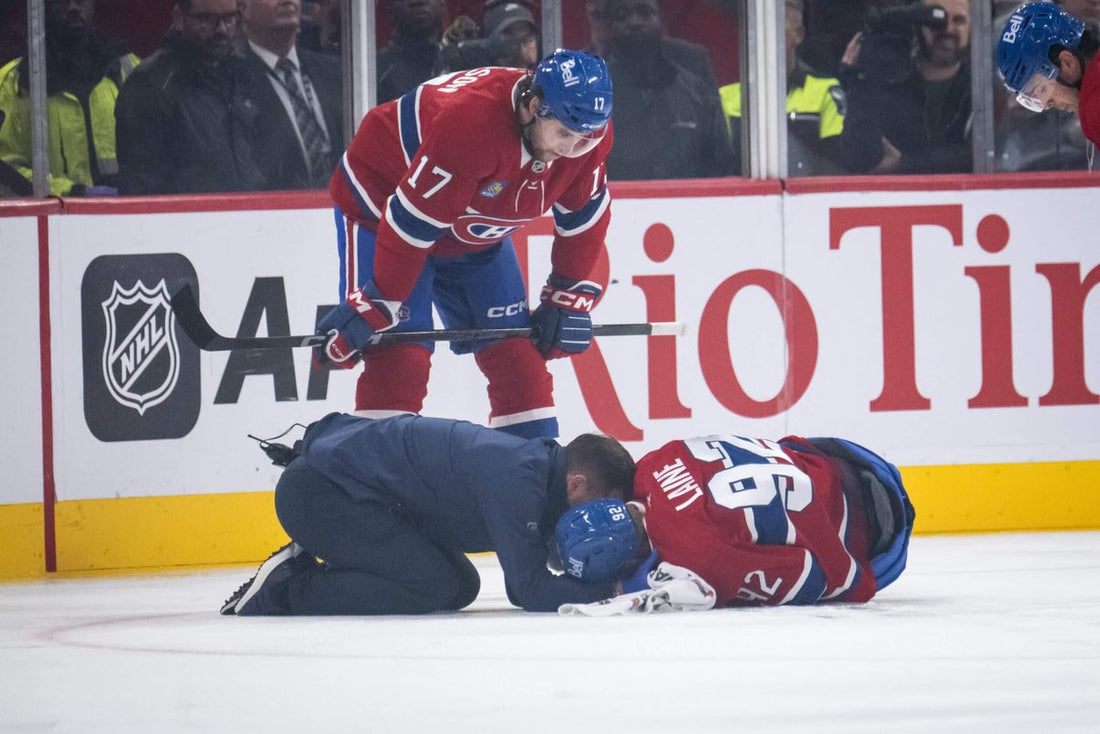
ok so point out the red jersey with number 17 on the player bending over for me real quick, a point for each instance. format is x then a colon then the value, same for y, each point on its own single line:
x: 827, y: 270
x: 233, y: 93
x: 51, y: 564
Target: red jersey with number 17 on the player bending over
x: 444, y: 171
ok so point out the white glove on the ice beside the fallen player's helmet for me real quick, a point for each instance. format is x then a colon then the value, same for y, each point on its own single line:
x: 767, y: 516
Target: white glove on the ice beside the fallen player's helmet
x: 672, y: 589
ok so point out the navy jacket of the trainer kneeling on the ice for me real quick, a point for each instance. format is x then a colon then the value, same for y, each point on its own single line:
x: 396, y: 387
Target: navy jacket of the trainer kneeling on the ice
x: 468, y: 488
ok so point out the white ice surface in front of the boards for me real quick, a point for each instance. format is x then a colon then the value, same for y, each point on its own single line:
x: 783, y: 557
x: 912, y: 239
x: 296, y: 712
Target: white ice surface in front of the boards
x: 993, y: 633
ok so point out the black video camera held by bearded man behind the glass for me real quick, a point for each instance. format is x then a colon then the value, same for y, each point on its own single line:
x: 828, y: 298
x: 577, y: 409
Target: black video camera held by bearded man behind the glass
x: 889, y: 35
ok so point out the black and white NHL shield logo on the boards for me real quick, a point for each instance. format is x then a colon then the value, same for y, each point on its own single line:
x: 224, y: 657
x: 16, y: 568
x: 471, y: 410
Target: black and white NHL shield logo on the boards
x: 141, y: 355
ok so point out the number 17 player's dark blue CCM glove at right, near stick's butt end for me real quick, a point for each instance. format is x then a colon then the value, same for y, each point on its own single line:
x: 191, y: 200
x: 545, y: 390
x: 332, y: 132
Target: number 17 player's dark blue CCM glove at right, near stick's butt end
x: 562, y: 323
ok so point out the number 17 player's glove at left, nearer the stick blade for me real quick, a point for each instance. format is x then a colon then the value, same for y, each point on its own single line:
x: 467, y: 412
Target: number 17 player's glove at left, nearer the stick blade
x: 349, y: 327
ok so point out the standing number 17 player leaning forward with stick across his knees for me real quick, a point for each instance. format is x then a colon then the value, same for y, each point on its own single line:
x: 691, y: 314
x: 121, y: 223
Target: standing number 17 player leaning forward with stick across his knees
x: 426, y: 198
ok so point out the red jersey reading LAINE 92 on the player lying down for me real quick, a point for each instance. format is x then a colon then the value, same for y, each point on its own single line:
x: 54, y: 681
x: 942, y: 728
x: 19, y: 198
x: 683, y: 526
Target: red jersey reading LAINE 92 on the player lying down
x: 764, y: 523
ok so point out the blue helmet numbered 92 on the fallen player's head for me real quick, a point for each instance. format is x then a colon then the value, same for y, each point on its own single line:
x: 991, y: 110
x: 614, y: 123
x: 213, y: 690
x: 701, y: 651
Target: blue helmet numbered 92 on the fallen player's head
x: 597, y: 541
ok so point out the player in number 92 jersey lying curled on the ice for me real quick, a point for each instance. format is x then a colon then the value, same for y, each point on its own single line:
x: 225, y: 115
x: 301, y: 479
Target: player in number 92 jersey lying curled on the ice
x: 724, y: 521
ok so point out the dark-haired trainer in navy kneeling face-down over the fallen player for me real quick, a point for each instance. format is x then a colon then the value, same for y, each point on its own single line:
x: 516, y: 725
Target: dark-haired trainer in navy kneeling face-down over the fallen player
x: 393, y: 506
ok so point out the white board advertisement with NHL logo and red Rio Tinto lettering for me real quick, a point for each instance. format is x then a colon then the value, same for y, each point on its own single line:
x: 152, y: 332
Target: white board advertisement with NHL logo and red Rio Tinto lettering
x: 939, y: 327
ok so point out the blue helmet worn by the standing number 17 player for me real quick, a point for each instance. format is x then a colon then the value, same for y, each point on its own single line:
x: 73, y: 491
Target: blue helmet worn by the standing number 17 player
x: 577, y: 90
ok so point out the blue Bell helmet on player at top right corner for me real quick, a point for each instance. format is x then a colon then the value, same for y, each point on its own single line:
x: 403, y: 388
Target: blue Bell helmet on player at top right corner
x: 1024, y: 51
